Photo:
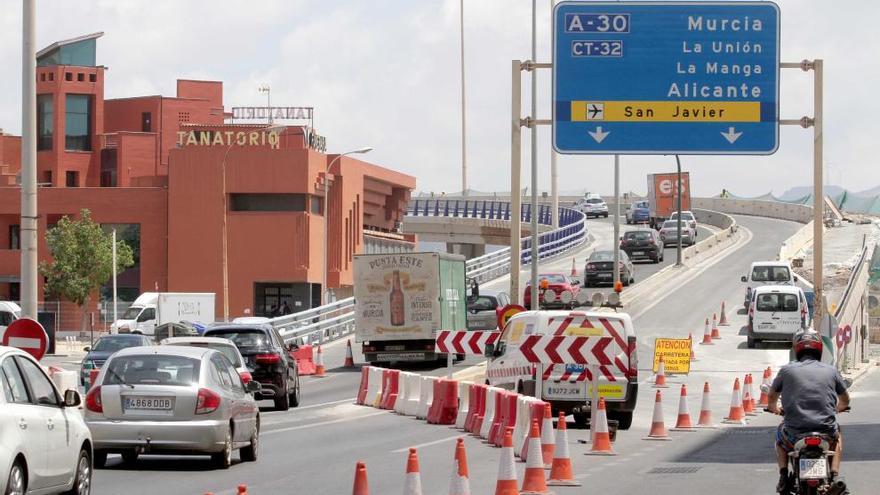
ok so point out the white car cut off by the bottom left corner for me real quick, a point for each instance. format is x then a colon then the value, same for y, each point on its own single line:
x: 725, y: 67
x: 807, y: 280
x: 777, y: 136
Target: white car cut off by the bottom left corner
x: 45, y: 446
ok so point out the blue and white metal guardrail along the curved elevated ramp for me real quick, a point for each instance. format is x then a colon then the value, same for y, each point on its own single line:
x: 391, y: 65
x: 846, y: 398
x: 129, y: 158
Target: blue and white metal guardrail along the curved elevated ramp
x: 336, y: 320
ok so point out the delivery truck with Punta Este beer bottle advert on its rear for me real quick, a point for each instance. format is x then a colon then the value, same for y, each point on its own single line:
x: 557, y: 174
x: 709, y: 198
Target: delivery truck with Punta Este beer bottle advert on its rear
x: 402, y: 300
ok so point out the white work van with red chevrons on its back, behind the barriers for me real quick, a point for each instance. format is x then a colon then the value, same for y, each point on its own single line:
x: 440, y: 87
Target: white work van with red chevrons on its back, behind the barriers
x: 566, y: 386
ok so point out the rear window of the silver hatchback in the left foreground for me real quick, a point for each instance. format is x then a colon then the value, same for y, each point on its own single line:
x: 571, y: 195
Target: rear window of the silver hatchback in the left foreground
x: 153, y: 370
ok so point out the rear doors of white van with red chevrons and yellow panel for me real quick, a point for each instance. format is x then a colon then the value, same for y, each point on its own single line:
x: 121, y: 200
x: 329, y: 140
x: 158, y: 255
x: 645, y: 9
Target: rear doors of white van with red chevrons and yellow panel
x: 571, y: 381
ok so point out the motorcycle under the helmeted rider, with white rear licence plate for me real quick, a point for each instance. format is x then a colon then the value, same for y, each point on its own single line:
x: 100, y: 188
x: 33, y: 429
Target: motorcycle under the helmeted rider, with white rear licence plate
x: 810, y: 463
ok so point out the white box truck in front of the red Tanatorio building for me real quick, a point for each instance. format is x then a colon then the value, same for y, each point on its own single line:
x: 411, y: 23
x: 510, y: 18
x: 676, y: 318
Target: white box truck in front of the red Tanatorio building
x: 152, y: 309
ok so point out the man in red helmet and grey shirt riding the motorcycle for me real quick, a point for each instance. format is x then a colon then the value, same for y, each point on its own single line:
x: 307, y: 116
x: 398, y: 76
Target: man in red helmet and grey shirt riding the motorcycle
x: 812, y: 394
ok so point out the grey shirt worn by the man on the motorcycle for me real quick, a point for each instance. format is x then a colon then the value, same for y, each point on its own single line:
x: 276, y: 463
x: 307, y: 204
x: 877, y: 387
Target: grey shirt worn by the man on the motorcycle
x: 809, y: 395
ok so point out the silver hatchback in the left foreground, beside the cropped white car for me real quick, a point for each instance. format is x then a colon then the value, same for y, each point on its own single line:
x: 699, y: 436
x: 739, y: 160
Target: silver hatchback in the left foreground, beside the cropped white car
x: 172, y: 400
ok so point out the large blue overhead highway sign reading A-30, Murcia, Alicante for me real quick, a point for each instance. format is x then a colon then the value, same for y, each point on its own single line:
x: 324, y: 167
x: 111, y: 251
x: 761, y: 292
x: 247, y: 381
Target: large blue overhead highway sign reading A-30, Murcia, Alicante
x: 666, y: 77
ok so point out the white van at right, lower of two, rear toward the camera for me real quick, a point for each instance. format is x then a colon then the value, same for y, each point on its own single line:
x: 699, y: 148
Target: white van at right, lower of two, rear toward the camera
x: 776, y: 312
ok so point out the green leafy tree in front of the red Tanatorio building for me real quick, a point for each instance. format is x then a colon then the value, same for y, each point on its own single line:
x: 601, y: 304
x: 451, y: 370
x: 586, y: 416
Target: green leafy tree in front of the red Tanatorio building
x: 82, y: 260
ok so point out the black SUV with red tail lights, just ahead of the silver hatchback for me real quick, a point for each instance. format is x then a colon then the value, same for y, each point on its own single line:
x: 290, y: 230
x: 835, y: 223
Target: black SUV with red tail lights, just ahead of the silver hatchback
x: 267, y: 358
